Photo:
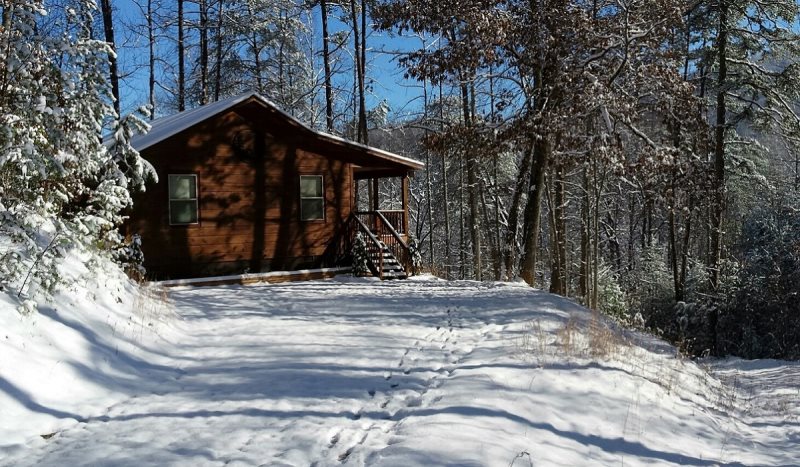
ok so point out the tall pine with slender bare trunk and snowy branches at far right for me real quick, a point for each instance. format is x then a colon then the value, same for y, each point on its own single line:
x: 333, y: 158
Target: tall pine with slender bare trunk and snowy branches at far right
x: 748, y: 52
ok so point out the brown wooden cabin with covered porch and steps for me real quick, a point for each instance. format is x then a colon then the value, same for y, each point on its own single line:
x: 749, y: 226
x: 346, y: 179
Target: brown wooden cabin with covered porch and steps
x: 244, y: 187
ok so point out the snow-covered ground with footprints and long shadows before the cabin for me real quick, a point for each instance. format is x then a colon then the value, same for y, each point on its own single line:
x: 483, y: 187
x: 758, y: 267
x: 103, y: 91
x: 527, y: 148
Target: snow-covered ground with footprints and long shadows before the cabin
x: 359, y: 372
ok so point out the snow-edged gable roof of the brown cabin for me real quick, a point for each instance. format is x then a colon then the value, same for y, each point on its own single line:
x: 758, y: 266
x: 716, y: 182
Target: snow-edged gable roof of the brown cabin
x: 163, y: 128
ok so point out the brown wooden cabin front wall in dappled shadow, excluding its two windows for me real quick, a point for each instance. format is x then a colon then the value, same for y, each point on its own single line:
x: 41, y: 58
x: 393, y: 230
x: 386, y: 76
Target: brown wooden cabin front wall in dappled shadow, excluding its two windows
x: 248, y: 165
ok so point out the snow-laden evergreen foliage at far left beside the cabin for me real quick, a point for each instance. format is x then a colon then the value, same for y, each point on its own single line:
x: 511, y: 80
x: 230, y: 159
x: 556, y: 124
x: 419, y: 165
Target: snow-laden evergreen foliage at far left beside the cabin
x: 60, y: 185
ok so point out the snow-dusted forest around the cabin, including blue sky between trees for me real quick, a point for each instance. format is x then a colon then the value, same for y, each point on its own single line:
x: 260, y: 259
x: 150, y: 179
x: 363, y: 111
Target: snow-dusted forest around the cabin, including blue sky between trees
x: 639, y: 157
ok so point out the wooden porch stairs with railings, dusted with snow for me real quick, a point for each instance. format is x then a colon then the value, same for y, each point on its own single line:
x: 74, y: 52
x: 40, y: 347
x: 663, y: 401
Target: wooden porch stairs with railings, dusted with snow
x: 388, y: 256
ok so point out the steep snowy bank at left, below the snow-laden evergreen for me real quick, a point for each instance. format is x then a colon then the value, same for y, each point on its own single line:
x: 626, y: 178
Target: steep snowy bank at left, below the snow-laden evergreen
x: 91, y: 345
